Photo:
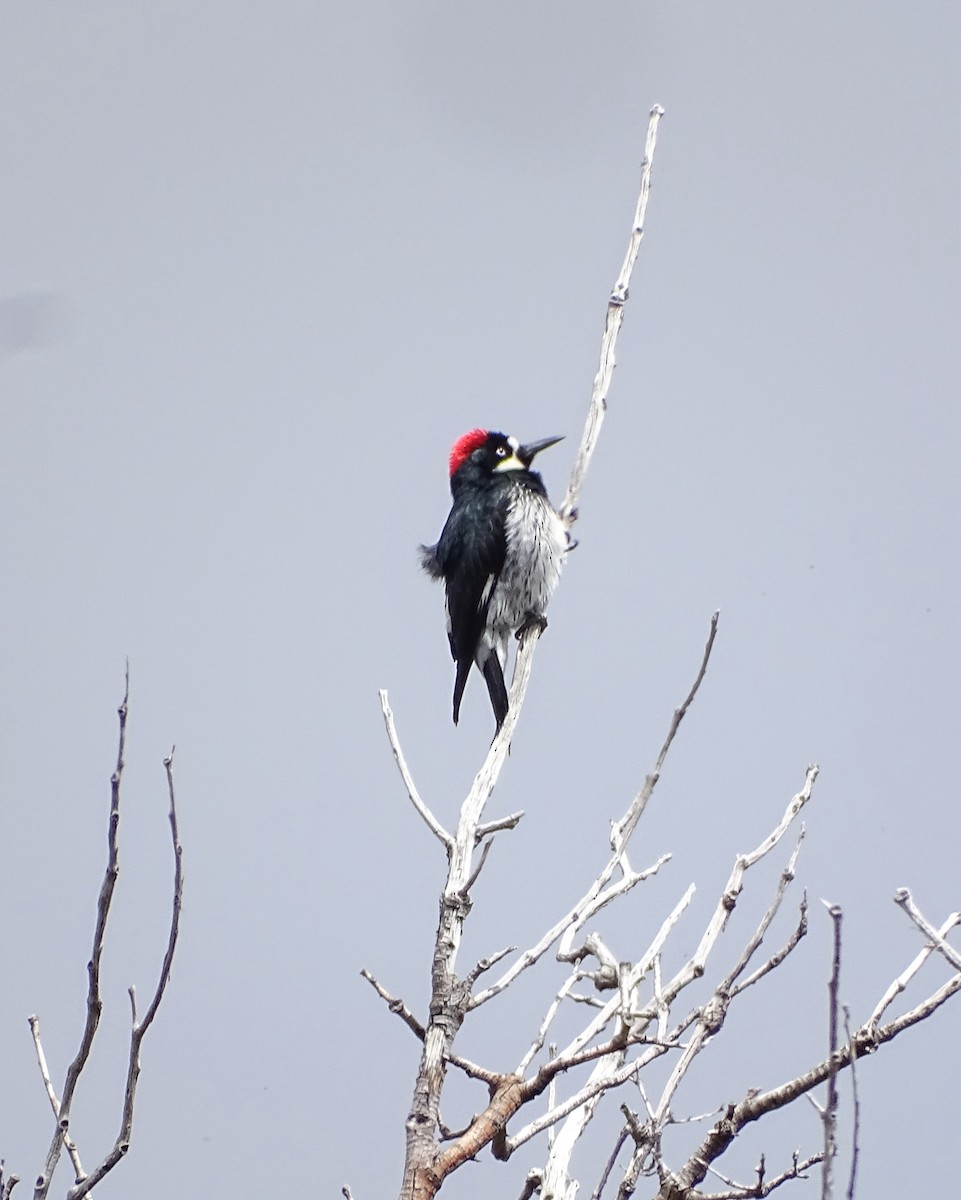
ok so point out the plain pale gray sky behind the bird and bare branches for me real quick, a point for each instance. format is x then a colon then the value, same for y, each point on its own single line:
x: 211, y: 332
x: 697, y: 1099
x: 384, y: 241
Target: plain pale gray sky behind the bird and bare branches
x: 262, y: 266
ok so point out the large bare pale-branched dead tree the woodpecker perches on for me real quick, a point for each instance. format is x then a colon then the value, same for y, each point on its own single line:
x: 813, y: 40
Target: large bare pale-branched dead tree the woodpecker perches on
x: 639, y: 1015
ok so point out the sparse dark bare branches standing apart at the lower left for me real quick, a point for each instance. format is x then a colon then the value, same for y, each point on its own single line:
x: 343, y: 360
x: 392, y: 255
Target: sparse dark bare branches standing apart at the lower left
x: 85, y: 1181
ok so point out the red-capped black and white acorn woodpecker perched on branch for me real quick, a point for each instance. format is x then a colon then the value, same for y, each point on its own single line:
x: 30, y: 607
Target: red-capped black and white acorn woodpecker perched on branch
x: 500, y: 555
